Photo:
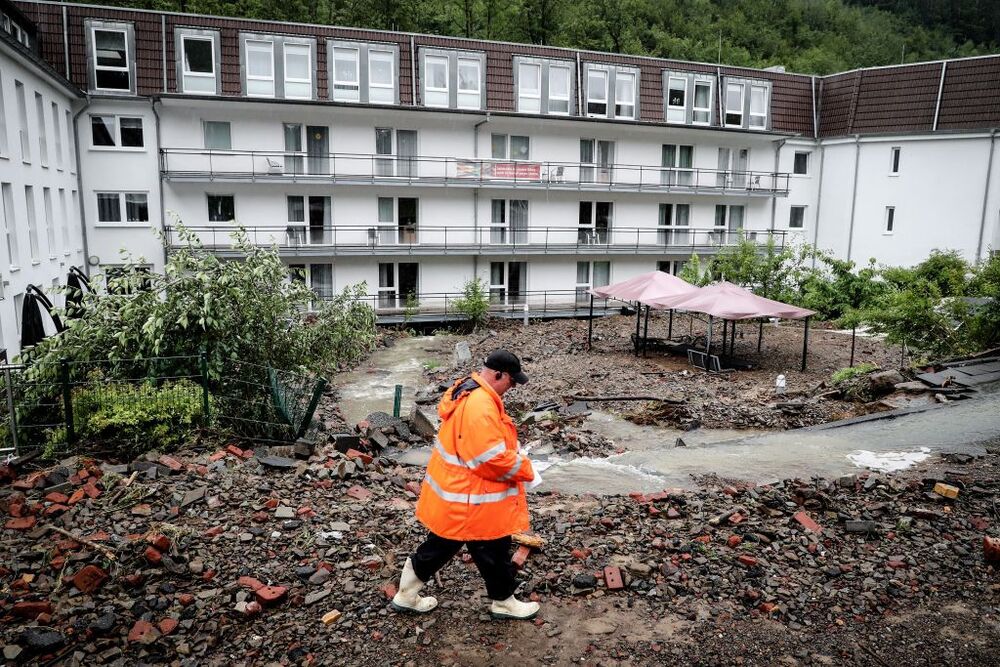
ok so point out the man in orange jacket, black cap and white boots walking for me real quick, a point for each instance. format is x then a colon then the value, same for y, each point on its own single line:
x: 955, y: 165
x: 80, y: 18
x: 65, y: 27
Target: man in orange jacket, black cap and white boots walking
x: 473, y: 493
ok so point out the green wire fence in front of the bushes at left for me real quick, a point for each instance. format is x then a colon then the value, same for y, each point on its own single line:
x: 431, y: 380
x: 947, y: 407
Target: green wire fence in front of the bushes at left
x: 59, y: 406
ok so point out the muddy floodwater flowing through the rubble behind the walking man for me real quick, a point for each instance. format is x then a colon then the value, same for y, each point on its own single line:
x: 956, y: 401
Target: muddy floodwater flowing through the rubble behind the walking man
x: 652, y: 461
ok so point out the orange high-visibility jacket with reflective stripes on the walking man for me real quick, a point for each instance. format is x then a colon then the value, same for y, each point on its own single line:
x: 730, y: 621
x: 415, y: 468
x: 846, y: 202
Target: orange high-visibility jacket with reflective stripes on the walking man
x: 474, y: 487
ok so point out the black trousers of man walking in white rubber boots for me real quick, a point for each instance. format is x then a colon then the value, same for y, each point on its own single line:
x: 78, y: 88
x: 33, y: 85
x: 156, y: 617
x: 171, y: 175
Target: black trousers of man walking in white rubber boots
x: 492, y: 557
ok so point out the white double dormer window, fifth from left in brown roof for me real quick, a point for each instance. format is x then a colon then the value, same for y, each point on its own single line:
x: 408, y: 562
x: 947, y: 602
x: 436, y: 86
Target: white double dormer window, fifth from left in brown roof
x: 452, y: 79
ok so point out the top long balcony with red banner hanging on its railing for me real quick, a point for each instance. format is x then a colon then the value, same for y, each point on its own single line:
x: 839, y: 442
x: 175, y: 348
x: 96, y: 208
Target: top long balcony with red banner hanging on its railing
x: 196, y: 165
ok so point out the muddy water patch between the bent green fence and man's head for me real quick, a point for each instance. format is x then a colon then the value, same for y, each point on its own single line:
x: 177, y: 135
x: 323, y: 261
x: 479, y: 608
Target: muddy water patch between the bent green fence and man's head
x: 371, y: 388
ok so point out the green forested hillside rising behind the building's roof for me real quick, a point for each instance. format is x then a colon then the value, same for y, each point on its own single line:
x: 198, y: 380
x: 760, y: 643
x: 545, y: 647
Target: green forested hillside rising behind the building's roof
x: 807, y: 36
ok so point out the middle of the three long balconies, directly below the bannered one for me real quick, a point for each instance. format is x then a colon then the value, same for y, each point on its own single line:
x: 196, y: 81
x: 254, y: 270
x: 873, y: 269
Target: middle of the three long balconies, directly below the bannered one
x: 300, y: 240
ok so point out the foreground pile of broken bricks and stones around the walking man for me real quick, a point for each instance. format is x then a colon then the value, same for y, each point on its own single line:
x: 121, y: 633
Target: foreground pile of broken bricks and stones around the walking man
x: 254, y: 558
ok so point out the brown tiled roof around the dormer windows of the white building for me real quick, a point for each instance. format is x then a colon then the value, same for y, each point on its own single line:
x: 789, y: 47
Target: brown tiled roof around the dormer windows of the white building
x: 878, y: 100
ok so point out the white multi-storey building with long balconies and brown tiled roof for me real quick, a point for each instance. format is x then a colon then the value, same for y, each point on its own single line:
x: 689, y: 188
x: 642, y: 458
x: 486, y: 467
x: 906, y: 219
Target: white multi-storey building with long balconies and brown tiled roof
x: 415, y: 162
